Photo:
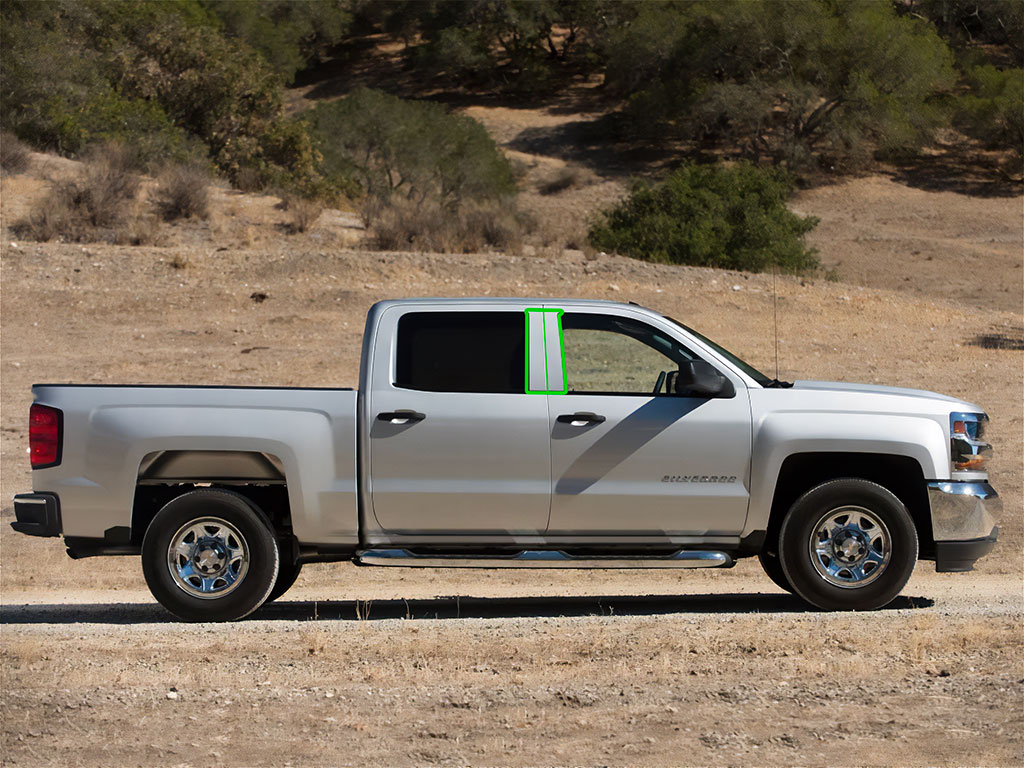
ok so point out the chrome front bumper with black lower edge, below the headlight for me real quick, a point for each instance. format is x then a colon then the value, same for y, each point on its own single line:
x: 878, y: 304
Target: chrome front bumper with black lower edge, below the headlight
x: 964, y: 518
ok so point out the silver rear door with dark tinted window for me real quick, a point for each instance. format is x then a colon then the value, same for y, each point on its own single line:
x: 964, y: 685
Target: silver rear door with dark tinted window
x: 456, y: 445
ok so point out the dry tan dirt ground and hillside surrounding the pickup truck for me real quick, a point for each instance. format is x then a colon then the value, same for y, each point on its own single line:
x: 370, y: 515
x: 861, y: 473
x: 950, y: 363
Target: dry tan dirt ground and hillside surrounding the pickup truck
x: 382, y: 667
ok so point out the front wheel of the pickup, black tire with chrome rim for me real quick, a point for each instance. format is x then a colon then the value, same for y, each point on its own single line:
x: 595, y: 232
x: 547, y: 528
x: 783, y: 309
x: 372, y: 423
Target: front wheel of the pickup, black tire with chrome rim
x: 841, y: 576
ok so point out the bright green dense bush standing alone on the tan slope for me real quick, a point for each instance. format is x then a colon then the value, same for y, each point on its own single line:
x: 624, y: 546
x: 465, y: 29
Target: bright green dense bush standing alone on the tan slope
x: 733, y: 218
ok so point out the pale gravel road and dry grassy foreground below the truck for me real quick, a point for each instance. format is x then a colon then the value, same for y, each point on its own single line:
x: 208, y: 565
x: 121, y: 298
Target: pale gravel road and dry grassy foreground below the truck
x: 732, y: 671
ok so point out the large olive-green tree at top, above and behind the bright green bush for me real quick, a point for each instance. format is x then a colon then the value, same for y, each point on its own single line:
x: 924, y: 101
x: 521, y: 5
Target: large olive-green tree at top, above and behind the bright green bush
x: 797, y: 83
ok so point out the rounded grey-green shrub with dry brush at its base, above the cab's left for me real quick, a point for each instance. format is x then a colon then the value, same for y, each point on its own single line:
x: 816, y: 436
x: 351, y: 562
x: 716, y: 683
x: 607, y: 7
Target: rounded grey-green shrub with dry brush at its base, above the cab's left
x: 433, y: 181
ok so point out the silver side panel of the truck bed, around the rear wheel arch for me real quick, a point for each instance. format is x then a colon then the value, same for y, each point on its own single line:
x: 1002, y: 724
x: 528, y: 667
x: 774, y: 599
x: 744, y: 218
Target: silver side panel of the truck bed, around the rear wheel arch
x: 110, y: 431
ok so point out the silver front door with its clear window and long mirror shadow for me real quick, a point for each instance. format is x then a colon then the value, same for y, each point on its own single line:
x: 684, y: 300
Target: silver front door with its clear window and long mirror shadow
x: 629, y: 459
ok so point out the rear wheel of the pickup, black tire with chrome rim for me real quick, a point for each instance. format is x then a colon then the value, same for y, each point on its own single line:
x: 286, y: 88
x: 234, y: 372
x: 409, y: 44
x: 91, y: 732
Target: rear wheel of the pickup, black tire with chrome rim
x: 228, y: 525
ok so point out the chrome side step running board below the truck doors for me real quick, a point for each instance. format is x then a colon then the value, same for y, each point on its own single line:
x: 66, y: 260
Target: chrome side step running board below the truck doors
x: 542, y: 560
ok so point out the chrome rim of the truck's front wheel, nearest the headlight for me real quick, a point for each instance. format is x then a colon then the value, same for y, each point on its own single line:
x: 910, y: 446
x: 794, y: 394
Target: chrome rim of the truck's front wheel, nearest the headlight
x: 850, y: 547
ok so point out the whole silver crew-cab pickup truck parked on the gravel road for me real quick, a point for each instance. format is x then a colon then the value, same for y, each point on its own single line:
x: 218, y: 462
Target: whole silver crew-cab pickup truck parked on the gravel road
x: 515, y: 434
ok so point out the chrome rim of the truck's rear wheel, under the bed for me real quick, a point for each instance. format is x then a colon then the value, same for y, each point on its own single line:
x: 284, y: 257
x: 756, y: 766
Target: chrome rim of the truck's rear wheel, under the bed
x: 208, y: 559
